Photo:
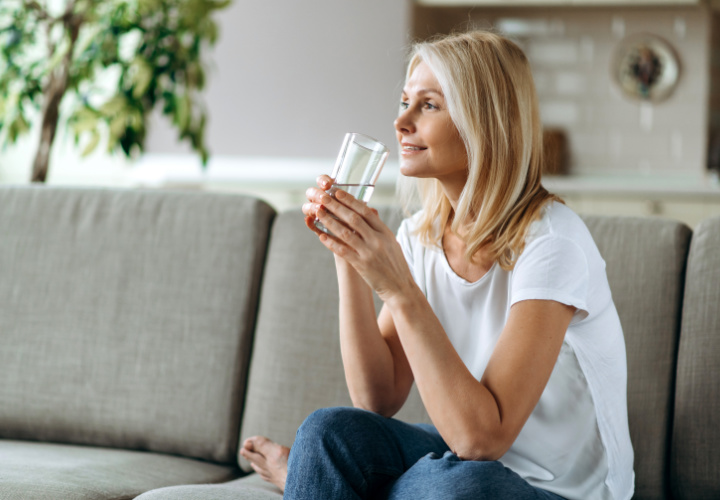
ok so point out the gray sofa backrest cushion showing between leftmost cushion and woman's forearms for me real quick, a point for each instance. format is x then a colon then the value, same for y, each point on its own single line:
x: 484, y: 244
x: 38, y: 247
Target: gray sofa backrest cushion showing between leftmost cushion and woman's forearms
x: 296, y: 366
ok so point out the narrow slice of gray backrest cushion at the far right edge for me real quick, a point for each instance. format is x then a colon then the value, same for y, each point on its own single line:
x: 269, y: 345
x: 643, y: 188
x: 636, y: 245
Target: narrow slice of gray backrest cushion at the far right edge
x: 696, y: 436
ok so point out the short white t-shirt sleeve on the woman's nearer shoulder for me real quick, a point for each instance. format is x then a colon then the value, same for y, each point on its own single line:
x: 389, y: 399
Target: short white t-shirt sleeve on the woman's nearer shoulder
x: 553, y: 268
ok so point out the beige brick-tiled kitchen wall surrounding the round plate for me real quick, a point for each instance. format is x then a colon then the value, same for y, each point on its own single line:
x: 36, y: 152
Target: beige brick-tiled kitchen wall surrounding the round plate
x: 571, y: 55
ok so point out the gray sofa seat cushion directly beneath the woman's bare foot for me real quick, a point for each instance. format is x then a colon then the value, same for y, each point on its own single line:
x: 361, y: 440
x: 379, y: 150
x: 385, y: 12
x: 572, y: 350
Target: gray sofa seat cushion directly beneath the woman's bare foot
x: 251, y: 487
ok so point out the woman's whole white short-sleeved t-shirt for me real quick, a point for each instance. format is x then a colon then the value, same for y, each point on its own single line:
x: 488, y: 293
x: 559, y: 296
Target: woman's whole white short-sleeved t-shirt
x: 576, y: 442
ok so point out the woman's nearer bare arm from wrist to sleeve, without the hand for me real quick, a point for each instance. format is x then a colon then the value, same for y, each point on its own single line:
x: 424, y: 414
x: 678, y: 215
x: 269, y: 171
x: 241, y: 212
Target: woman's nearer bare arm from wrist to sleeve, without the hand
x: 480, y: 420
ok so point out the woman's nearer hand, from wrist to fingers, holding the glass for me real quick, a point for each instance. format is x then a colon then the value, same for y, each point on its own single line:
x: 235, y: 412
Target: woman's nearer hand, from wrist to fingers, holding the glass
x: 361, y: 239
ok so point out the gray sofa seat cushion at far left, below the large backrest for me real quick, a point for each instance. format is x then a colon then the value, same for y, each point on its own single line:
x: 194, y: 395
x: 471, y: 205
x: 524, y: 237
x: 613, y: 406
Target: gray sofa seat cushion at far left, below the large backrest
x: 42, y: 471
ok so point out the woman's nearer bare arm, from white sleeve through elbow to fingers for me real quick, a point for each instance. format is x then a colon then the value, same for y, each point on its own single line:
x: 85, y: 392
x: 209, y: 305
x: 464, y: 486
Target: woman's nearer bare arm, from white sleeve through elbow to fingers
x: 478, y: 419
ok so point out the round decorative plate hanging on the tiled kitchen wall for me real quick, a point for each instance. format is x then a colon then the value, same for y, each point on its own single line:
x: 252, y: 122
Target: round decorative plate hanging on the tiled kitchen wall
x: 646, y: 67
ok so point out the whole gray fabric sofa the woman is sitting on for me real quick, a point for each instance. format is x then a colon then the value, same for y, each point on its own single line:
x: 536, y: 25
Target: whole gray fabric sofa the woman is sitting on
x: 144, y: 334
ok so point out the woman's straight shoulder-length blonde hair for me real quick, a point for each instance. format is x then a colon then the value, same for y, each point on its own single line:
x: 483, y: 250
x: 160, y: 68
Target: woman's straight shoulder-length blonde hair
x: 490, y: 94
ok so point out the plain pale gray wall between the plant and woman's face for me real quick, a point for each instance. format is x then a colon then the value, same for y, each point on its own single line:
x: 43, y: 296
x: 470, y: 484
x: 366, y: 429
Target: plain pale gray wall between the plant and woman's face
x: 290, y: 78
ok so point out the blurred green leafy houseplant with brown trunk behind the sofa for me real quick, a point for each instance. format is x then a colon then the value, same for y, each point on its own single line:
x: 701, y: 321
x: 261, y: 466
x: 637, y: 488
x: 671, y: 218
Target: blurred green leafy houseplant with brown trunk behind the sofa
x: 109, y: 63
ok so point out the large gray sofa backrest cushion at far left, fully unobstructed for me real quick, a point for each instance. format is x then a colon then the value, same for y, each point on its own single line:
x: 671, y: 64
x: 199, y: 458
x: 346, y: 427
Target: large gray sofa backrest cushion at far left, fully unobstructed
x: 126, y: 316
